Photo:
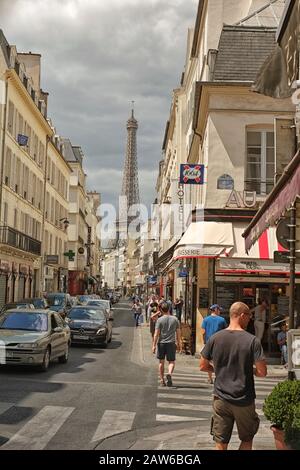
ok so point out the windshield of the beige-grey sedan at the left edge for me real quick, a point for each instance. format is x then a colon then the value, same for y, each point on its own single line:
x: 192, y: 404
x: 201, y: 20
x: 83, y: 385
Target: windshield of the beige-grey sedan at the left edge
x: 24, y: 321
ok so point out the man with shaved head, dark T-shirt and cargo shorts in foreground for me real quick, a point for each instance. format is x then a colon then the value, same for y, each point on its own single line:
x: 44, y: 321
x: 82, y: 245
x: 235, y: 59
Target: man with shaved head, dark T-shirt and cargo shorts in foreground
x: 236, y: 356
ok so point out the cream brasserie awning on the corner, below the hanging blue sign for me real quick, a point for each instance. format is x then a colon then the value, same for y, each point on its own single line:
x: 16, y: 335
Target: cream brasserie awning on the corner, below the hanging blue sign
x: 205, y: 240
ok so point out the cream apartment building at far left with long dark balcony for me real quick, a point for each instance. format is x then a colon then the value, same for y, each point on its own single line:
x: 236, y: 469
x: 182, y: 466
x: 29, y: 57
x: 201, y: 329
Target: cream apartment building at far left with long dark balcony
x: 24, y: 137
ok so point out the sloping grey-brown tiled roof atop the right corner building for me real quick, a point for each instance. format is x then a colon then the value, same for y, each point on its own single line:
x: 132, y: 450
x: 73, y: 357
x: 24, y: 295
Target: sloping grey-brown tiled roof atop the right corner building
x: 242, y: 52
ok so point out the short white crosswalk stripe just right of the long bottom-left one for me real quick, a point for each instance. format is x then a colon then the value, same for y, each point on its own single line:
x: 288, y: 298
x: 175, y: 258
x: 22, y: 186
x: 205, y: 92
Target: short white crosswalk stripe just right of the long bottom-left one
x: 113, y: 422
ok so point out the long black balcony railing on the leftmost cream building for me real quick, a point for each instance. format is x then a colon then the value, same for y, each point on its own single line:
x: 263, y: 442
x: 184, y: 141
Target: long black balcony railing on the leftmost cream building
x: 10, y: 236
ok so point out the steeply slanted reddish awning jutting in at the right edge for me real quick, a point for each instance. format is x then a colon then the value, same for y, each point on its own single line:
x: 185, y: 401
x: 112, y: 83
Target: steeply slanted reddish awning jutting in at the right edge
x: 281, y: 199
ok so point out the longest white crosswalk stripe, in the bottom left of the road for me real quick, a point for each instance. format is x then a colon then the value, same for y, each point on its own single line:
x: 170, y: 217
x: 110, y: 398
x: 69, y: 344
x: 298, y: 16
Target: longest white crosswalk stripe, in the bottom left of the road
x: 36, y: 434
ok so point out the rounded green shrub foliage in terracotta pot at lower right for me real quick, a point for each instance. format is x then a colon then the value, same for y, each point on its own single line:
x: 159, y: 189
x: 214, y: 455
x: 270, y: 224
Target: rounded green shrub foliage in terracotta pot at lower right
x: 280, y: 406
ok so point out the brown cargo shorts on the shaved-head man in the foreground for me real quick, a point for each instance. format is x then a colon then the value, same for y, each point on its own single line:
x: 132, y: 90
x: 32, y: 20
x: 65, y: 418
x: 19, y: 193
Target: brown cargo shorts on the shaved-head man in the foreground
x: 226, y: 414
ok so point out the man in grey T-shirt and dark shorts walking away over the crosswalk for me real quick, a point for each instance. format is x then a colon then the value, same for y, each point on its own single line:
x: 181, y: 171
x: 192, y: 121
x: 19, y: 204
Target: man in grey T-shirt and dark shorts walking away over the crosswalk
x: 167, y: 334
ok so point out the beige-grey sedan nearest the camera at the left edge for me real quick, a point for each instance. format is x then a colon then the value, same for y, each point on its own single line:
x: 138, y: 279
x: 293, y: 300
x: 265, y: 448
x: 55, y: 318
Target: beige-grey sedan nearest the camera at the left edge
x: 34, y: 337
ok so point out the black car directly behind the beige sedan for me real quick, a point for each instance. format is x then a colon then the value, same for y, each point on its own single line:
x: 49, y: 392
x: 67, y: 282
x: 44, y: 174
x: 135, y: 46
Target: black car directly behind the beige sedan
x: 90, y: 325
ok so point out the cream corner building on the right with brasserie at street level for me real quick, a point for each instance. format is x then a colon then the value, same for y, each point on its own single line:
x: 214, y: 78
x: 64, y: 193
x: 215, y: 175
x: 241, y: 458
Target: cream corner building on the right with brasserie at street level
x: 217, y: 121
